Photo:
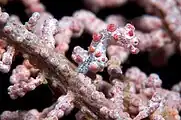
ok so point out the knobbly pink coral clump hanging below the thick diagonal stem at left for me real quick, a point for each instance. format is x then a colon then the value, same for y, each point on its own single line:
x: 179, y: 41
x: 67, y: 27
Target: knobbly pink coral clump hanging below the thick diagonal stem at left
x: 23, y: 80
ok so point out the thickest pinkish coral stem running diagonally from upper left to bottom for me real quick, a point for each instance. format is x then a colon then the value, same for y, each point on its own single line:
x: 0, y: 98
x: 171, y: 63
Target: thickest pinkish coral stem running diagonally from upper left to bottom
x: 59, y: 69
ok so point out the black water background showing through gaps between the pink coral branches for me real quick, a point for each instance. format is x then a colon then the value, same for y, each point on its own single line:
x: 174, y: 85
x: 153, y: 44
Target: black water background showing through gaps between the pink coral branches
x: 42, y: 96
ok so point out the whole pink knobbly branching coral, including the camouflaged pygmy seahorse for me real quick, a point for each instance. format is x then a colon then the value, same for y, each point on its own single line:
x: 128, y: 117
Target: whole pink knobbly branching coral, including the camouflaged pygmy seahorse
x: 44, y: 40
